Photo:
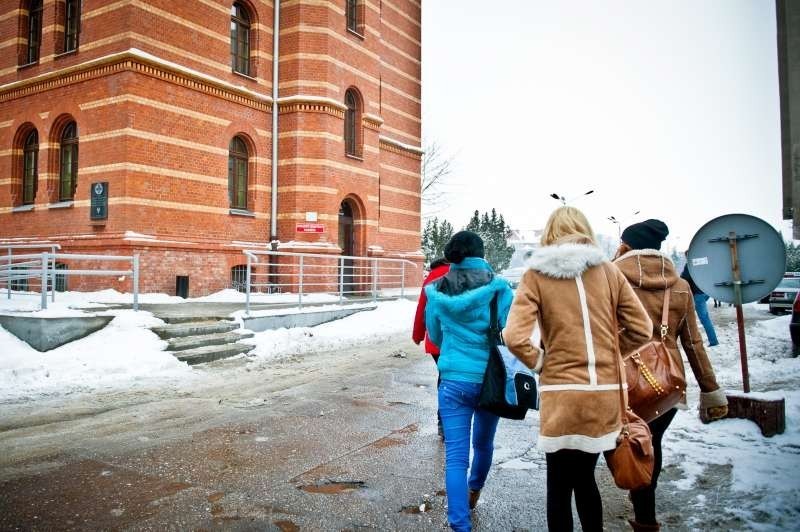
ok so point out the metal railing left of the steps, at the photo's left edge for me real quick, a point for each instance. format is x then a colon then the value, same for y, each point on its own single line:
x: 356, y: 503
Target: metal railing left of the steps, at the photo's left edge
x: 42, y: 266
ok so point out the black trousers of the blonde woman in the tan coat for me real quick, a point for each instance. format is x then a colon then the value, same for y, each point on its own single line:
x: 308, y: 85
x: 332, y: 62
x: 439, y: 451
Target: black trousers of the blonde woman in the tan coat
x: 571, y: 471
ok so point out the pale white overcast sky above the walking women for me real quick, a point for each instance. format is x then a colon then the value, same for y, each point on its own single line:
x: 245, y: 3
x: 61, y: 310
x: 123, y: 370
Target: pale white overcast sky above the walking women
x: 666, y: 107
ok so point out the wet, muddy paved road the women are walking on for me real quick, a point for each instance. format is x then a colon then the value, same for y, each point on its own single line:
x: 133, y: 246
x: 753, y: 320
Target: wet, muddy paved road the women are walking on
x: 335, y: 441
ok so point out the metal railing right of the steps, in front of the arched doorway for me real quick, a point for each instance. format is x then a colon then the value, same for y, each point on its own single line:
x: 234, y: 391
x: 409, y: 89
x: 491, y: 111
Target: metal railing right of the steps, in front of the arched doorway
x: 339, y: 275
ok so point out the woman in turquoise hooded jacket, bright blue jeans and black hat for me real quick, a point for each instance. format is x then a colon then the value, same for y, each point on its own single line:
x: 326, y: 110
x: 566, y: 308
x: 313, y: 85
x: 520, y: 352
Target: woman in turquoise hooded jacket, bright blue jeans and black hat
x: 457, y: 319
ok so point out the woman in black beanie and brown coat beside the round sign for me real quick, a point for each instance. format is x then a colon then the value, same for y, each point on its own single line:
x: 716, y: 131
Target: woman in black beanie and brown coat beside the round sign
x: 650, y: 272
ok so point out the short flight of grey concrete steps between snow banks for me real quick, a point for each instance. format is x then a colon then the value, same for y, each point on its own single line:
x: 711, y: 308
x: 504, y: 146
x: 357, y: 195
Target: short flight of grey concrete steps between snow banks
x: 204, y: 339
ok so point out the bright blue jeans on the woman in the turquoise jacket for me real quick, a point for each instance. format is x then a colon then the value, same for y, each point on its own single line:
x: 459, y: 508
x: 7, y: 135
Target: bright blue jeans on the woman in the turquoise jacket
x: 458, y: 405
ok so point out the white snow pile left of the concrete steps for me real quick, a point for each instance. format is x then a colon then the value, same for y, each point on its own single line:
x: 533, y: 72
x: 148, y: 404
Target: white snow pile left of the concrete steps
x: 124, y: 354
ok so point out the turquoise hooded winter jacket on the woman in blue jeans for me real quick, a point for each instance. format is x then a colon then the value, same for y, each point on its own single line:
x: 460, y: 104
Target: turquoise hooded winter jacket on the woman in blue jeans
x: 457, y: 317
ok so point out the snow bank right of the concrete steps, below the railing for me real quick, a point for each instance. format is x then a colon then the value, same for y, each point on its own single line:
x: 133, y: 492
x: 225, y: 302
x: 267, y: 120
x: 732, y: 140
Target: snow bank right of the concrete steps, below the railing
x: 389, y: 318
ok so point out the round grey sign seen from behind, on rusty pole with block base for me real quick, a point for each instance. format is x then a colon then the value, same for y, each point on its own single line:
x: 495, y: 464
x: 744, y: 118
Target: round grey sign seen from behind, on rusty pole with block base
x: 738, y: 258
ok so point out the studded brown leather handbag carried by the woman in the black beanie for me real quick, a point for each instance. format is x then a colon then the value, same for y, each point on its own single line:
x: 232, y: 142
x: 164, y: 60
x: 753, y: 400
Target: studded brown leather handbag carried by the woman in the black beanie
x: 655, y: 381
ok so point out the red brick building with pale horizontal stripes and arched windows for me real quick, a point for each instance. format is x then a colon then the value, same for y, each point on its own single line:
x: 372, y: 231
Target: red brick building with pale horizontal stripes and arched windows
x: 171, y: 103
